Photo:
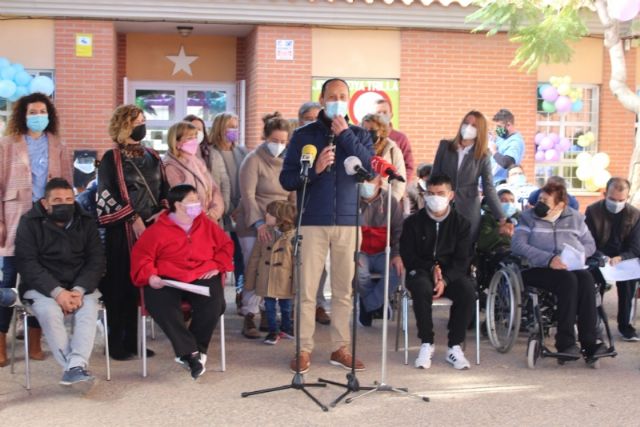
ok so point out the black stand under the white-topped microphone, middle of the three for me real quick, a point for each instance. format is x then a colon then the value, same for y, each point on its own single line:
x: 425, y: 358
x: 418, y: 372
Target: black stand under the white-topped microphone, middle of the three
x: 352, y: 384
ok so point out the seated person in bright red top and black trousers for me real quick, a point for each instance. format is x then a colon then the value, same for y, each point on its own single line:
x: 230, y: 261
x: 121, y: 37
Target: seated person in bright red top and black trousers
x: 186, y: 246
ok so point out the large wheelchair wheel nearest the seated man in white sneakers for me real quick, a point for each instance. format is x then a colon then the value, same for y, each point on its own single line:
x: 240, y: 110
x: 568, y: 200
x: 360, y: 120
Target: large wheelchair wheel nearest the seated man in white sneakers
x: 504, y: 309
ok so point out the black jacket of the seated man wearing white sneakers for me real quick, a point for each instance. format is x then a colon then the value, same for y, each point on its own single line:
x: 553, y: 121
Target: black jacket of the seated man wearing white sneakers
x: 453, y: 245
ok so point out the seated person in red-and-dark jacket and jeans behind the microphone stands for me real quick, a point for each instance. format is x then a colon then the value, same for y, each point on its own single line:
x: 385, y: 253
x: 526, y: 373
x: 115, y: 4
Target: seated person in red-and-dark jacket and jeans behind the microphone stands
x: 373, y: 205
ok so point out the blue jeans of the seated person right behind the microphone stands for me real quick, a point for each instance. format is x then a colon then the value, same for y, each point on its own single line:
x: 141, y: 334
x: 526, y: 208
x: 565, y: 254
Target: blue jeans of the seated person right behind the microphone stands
x: 372, y: 290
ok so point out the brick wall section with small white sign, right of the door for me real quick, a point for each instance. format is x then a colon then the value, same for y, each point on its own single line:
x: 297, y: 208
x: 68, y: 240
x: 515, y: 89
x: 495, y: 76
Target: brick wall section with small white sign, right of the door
x: 275, y: 85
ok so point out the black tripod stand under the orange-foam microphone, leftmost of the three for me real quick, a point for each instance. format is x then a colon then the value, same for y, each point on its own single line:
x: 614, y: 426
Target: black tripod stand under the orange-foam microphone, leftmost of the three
x: 297, y: 383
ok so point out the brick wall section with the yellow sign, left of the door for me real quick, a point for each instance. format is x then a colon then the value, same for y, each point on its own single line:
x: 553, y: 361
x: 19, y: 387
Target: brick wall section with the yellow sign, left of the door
x: 85, y: 87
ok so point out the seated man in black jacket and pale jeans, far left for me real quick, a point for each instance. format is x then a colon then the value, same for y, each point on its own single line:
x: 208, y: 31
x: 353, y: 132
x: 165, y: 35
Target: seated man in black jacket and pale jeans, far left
x: 60, y: 261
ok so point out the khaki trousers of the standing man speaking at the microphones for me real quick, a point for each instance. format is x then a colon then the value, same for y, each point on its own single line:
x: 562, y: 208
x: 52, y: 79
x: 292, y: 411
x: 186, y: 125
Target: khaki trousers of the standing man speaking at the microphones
x: 340, y: 242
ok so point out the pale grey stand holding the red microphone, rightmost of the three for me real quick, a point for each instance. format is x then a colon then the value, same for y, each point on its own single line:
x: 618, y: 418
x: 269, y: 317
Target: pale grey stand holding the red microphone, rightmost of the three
x: 382, y: 384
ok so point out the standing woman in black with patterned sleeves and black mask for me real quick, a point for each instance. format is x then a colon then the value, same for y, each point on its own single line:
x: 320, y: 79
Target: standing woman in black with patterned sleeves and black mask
x: 132, y: 191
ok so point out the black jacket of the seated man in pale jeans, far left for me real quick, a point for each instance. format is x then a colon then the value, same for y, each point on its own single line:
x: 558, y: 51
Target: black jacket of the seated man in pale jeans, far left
x: 49, y: 256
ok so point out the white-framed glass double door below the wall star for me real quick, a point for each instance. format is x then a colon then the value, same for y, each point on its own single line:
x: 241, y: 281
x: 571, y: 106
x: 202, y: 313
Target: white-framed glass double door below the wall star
x: 165, y: 103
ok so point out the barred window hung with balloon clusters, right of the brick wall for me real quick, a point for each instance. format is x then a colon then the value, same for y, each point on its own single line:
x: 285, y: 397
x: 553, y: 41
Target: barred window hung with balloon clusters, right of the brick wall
x: 571, y: 126
